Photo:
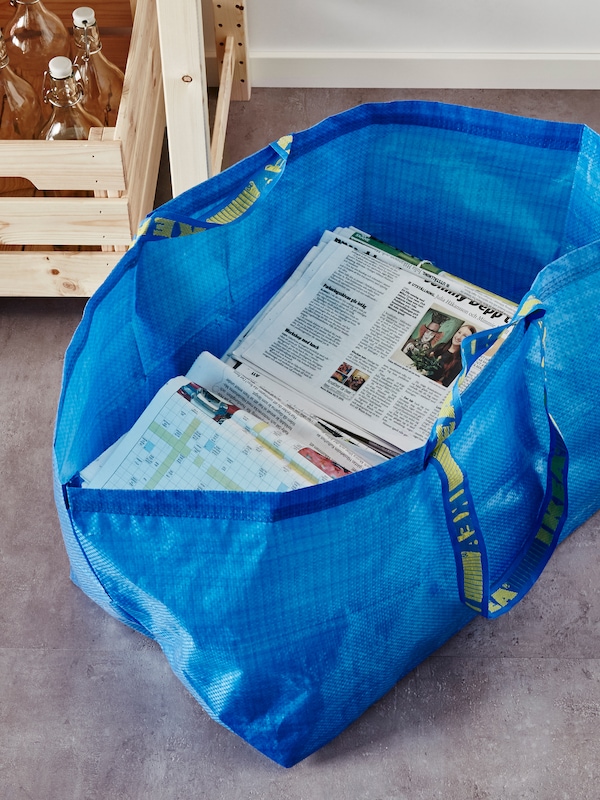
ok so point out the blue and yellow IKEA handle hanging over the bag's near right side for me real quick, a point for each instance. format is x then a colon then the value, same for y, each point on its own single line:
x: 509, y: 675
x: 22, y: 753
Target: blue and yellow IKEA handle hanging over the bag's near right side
x: 475, y: 589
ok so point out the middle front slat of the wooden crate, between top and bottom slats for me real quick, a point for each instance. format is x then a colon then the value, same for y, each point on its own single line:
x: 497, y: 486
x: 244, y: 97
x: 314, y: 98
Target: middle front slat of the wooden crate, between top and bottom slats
x: 64, y: 220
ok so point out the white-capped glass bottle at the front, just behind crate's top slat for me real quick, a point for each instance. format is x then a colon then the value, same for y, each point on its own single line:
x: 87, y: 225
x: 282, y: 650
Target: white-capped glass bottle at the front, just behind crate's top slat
x: 69, y: 119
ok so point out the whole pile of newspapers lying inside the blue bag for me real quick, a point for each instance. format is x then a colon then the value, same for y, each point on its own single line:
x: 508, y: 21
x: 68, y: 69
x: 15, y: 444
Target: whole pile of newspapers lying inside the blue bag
x: 346, y: 366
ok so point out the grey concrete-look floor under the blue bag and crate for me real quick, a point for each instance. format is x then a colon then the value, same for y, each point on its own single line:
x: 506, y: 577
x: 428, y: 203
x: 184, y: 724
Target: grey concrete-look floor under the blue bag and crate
x: 89, y: 709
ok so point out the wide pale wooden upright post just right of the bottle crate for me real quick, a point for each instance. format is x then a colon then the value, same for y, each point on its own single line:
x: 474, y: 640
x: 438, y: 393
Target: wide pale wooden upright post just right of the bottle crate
x: 184, y: 80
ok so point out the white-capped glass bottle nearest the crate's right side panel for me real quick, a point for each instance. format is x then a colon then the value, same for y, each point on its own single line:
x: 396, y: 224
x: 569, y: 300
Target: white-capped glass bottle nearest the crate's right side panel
x: 102, y: 80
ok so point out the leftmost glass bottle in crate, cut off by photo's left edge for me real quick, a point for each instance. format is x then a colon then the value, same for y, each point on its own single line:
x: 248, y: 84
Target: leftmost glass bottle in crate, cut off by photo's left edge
x: 20, y: 109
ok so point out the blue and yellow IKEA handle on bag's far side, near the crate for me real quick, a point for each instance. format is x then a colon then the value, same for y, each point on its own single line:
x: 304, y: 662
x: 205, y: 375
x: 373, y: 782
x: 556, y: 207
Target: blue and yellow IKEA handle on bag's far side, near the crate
x: 156, y: 226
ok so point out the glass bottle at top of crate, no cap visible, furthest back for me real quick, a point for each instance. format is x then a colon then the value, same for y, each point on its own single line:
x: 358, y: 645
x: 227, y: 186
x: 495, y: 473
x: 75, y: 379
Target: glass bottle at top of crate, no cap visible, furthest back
x: 33, y: 36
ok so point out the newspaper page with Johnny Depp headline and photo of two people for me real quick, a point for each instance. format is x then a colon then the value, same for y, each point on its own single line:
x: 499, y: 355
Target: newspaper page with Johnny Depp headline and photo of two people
x: 368, y: 339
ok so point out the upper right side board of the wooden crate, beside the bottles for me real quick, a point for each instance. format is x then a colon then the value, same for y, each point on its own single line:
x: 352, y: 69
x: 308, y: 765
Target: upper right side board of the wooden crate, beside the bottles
x: 141, y: 119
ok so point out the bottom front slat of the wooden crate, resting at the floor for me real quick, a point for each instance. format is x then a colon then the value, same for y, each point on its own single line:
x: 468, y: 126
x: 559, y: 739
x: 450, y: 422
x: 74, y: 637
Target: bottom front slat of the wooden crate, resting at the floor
x: 52, y: 274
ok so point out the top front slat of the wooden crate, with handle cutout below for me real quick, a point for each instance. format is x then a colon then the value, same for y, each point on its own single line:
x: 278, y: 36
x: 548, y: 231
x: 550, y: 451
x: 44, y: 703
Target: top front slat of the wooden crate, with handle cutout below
x: 64, y: 164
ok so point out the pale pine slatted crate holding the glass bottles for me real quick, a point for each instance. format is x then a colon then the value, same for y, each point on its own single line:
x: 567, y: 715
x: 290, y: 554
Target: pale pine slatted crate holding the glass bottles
x: 67, y: 245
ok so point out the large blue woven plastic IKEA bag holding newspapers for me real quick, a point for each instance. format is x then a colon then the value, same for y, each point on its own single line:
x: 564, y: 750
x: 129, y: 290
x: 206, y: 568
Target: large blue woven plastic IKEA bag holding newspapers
x: 287, y: 615
